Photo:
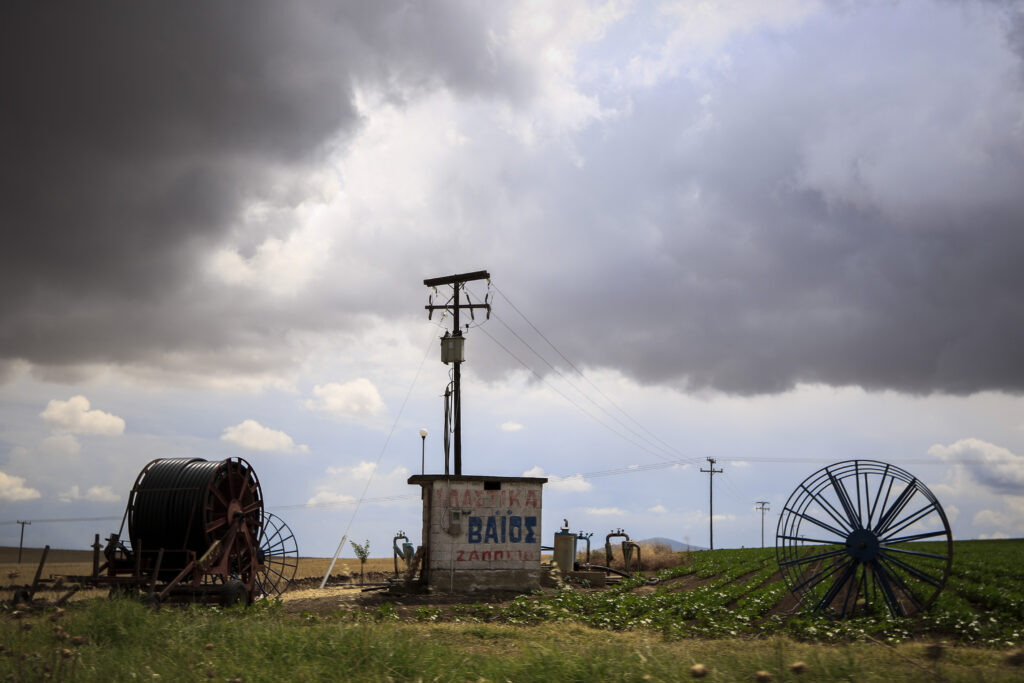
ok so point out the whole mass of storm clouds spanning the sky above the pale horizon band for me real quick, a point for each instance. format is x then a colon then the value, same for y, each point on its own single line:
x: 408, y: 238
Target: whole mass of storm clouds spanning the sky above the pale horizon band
x: 735, y: 201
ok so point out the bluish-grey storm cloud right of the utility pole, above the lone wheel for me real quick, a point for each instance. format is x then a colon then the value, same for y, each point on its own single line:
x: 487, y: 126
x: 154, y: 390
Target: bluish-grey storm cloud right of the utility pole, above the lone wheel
x: 844, y: 207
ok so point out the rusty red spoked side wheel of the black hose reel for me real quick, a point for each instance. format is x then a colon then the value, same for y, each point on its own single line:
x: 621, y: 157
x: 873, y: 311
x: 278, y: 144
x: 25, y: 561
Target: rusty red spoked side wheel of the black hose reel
x: 233, y: 515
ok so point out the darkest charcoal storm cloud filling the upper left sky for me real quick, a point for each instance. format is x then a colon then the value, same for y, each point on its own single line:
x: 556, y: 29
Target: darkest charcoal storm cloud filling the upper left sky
x: 133, y: 134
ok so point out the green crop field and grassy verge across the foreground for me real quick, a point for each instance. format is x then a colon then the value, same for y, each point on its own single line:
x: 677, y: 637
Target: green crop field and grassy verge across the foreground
x: 728, y: 611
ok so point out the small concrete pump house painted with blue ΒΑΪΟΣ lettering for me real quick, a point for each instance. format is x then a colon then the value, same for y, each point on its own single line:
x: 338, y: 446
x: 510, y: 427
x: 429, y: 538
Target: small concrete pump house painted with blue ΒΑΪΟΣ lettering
x: 482, y: 533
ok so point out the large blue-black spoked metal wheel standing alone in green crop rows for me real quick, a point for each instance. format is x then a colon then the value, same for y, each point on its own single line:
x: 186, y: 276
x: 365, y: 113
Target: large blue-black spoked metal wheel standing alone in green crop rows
x: 863, y: 537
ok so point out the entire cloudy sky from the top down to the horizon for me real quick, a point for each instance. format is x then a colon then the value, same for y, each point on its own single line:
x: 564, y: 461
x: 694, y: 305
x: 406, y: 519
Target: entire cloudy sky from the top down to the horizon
x: 780, y: 235
